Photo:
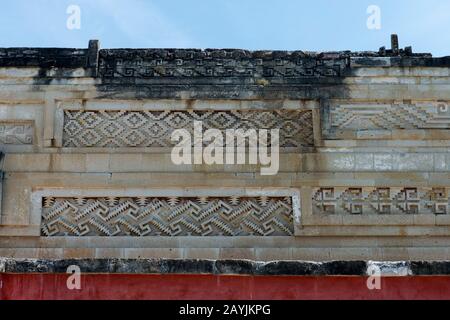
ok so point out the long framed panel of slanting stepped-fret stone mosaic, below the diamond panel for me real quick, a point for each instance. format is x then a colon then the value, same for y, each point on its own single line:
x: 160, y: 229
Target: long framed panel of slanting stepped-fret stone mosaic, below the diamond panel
x: 172, y: 216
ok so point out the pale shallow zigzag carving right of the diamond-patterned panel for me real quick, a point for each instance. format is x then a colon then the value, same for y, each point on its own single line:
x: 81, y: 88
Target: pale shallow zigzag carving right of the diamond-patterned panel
x: 423, y: 115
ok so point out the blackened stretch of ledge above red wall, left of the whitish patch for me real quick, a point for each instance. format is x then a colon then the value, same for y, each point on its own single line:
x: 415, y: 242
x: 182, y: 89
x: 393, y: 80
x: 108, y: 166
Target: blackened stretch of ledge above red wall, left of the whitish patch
x: 244, y: 267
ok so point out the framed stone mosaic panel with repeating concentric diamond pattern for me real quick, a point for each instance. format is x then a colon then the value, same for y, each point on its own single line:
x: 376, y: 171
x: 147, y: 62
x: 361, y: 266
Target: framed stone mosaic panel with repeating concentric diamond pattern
x: 154, y: 128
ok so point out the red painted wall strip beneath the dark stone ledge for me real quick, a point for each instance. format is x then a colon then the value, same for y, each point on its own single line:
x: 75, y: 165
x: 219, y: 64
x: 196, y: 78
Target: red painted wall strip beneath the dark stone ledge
x: 123, y: 286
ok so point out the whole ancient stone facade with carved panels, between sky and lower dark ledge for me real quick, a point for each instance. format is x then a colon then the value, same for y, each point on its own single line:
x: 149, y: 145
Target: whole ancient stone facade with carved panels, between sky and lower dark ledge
x: 364, y: 154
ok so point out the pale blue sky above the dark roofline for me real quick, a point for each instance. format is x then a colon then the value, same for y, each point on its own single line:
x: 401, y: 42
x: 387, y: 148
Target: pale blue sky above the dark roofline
x: 319, y: 25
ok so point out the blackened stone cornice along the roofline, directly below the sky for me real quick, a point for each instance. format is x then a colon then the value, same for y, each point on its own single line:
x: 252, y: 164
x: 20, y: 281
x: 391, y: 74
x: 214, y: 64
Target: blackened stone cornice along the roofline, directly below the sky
x: 228, y: 65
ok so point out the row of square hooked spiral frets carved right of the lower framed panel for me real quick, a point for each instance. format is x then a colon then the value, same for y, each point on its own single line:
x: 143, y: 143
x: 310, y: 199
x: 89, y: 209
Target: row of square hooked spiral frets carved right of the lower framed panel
x: 383, y: 200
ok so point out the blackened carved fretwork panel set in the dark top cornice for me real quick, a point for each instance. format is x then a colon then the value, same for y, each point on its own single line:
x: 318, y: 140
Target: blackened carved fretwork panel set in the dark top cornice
x: 176, y: 63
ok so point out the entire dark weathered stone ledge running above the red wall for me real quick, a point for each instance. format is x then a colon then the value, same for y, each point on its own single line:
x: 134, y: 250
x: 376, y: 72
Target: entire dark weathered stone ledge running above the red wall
x: 223, y: 267
